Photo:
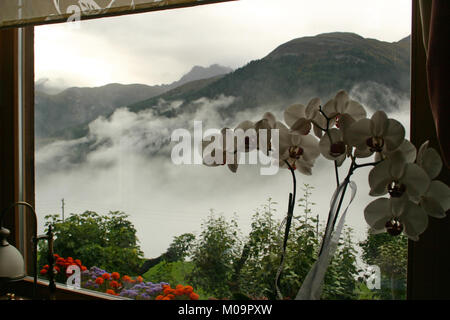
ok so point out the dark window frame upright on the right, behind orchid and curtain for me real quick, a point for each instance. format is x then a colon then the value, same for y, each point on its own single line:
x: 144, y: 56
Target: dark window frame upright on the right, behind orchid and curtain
x: 428, y: 259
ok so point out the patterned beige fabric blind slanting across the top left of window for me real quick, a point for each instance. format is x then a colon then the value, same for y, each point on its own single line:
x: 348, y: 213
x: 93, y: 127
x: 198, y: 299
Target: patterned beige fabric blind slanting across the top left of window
x: 14, y: 13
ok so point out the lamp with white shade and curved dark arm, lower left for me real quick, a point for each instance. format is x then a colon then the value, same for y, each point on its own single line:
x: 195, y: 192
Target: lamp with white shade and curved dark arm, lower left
x: 12, y: 266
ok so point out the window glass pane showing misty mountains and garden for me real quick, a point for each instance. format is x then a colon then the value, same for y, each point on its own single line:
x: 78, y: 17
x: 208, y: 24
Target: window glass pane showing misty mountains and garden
x: 109, y: 95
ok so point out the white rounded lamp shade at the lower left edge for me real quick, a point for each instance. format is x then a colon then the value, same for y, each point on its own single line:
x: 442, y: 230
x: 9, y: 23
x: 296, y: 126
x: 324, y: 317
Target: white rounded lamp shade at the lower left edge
x: 12, y: 266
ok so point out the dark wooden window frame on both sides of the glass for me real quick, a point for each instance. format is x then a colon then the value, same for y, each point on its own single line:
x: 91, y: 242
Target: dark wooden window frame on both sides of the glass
x: 428, y: 259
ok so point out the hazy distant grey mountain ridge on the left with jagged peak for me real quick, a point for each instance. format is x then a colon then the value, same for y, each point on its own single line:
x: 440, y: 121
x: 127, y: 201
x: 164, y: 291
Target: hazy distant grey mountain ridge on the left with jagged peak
x: 71, y: 110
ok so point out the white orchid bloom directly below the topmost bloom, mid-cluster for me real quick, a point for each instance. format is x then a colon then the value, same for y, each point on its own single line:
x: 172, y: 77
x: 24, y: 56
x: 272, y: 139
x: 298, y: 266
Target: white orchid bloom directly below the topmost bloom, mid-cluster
x: 333, y: 146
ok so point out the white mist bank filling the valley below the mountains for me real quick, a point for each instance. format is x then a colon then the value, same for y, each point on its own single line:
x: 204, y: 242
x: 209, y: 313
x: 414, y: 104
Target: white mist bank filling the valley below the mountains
x: 124, y: 164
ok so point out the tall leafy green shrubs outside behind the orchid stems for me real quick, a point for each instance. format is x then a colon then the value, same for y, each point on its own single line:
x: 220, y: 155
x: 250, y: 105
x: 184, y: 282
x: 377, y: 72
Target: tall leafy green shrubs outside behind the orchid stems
x: 227, y: 267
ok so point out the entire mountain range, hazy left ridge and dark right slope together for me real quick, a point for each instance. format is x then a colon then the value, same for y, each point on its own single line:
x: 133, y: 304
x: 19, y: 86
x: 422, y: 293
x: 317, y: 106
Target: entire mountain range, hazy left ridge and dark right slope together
x: 375, y: 72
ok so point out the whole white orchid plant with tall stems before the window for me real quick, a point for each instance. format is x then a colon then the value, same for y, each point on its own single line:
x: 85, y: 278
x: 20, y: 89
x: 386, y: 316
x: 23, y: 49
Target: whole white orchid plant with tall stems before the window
x: 402, y: 178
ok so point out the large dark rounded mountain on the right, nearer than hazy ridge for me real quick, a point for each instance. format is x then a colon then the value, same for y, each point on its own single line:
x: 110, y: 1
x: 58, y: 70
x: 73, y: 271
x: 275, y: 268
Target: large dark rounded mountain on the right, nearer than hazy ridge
x: 306, y: 67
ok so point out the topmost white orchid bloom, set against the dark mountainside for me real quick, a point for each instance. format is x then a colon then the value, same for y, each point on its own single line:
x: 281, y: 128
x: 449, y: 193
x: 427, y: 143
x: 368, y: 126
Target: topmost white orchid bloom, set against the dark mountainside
x: 340, y: 105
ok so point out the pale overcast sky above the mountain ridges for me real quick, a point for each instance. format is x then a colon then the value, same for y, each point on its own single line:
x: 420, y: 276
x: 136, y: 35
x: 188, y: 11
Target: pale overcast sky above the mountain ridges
x: 159, y: 47
